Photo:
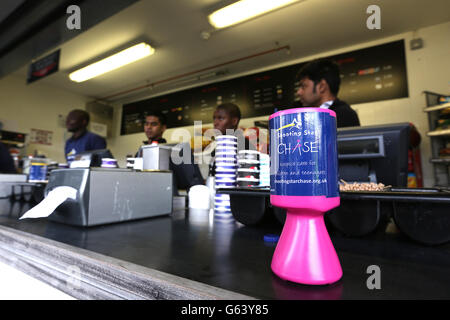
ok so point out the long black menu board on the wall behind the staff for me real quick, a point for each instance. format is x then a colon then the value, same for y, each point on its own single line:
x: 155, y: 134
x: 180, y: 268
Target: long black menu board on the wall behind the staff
x: 371, y: 74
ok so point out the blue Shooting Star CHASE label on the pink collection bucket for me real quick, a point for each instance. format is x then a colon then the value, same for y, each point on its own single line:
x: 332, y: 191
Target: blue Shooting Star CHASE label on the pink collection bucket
x: 303, y: 154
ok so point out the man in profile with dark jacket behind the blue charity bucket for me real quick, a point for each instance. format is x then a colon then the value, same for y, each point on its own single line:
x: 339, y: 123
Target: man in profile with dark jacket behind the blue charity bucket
x: 319, y: 86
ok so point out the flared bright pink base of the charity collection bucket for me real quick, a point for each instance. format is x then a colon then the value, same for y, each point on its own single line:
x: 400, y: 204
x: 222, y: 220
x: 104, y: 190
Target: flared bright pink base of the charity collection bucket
x: 305, y: 253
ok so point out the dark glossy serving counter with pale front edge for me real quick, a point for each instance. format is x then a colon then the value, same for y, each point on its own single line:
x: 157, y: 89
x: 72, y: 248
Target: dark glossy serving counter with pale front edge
x: 191, y: 255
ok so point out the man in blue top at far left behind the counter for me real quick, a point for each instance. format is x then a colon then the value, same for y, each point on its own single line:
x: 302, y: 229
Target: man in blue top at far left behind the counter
x: 82, y: 140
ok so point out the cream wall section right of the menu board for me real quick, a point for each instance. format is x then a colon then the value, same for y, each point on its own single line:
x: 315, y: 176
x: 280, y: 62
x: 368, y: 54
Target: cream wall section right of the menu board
x: 427, y: 69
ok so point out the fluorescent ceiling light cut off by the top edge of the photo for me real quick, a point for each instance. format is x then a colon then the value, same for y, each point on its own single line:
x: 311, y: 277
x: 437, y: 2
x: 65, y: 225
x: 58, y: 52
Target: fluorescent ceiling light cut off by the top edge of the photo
x: 244, y: 10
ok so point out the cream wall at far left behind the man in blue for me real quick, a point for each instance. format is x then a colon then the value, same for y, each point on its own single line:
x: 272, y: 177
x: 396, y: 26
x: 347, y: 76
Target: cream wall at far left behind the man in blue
x: 37, y: 106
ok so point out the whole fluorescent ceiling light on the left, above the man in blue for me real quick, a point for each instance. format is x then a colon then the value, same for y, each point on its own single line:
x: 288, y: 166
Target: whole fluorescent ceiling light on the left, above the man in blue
x: 115, y: 61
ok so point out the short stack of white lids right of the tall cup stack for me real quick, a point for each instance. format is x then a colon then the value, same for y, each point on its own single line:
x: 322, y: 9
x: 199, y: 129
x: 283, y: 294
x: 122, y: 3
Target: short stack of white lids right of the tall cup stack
x: 248, y: 171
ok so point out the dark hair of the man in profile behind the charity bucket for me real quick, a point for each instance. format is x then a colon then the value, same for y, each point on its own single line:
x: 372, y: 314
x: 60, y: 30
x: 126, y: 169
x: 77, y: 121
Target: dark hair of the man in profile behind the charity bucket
x: 319, y: 69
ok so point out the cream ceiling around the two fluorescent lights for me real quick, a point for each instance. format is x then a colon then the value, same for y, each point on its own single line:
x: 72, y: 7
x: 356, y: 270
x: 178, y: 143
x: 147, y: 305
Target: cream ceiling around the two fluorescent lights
x: 173, y: 27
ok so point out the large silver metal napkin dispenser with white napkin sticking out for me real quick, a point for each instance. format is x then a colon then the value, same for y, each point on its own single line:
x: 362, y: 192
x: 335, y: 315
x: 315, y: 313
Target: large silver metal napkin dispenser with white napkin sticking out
x: 111, y: 195
